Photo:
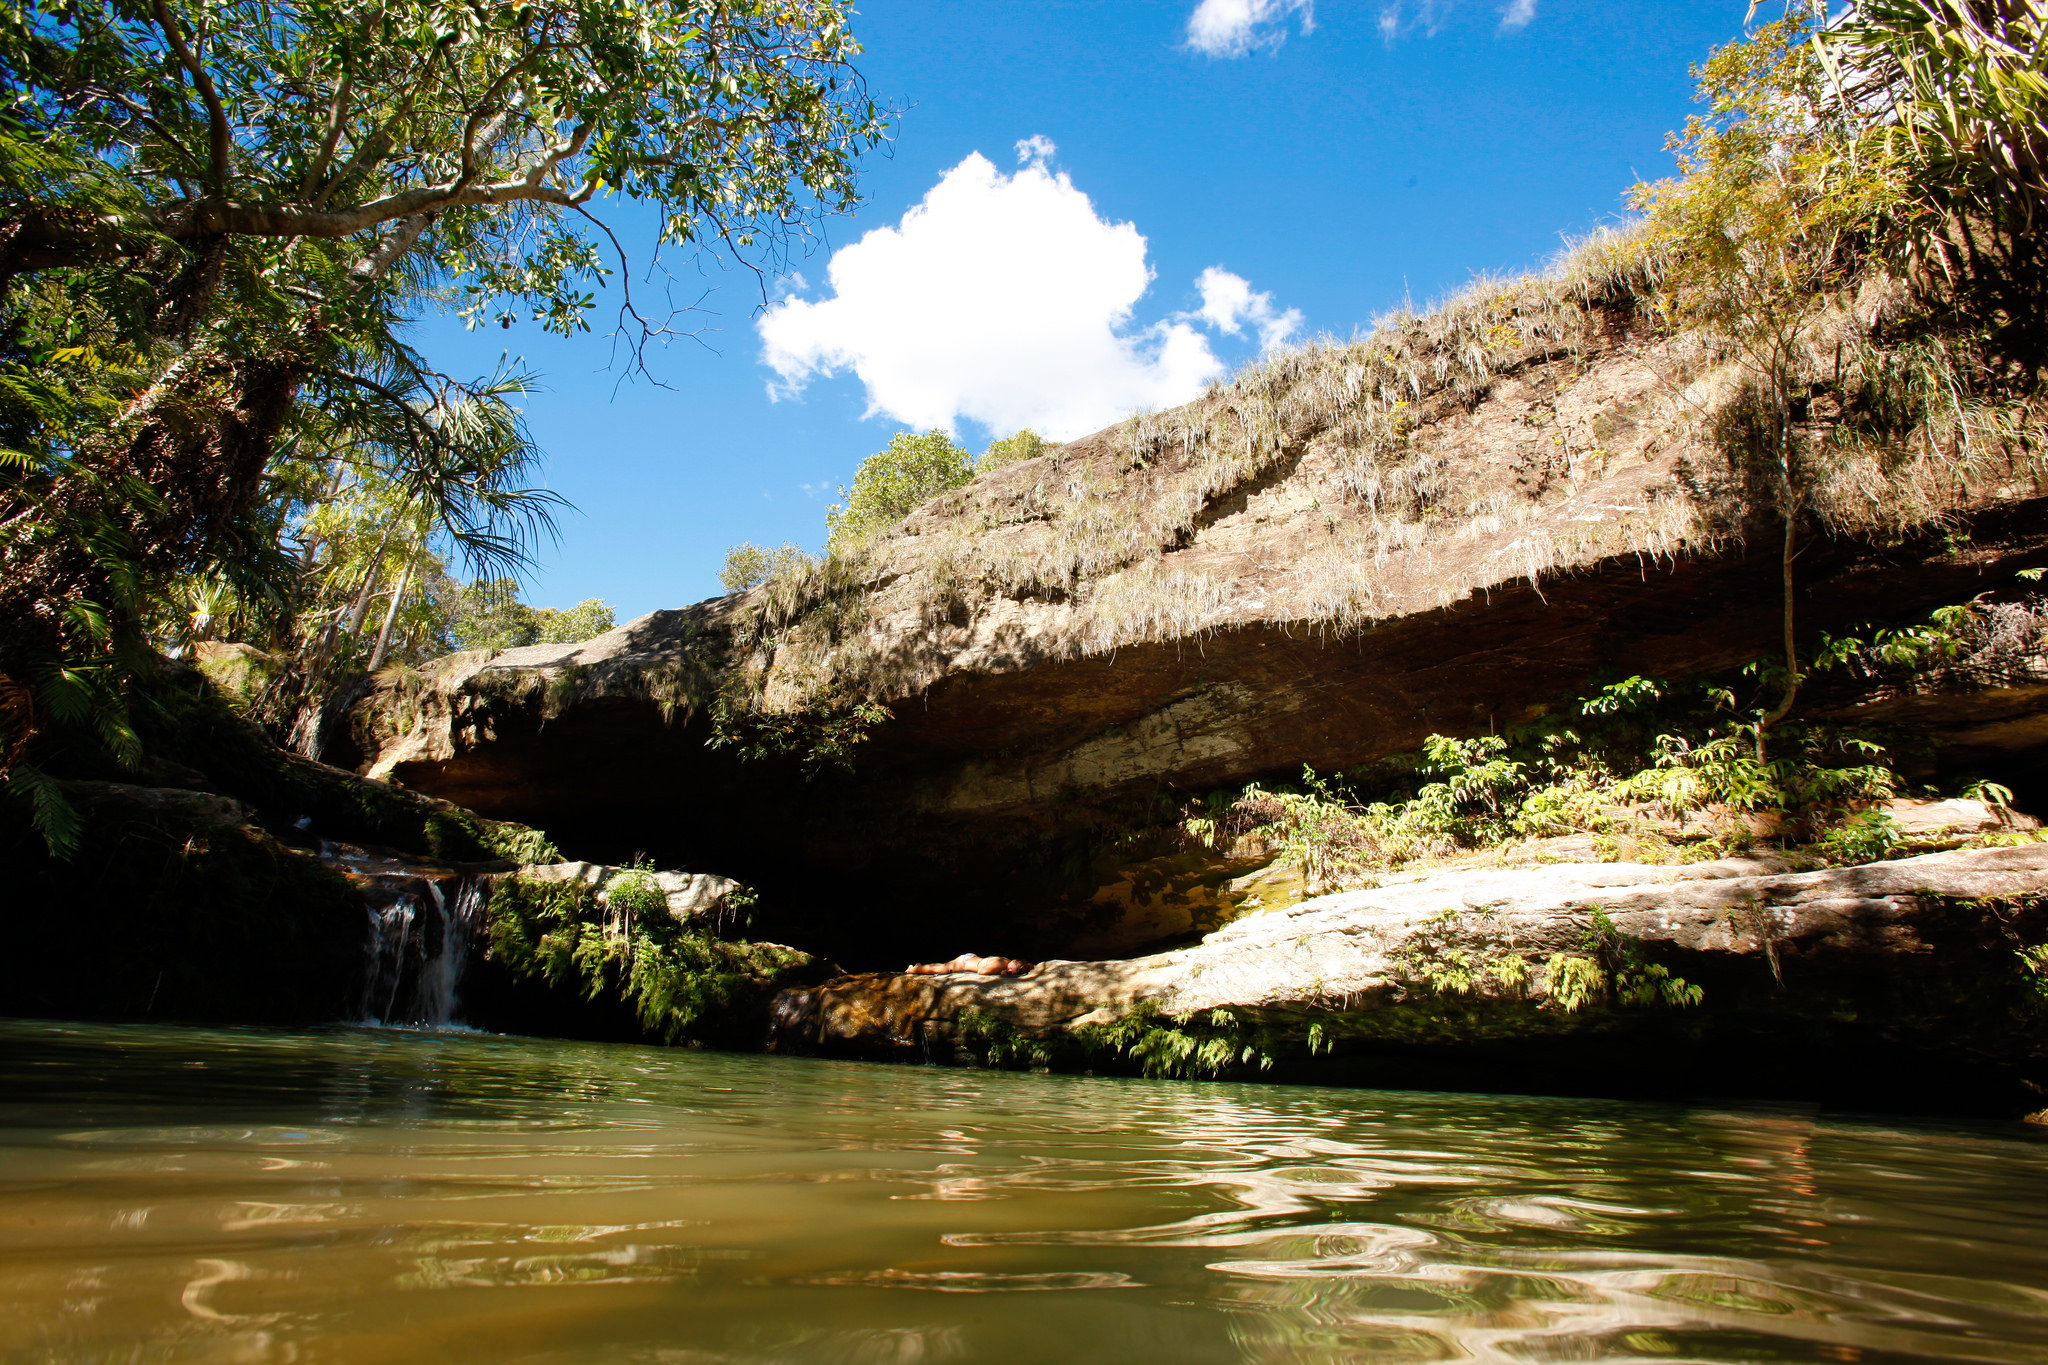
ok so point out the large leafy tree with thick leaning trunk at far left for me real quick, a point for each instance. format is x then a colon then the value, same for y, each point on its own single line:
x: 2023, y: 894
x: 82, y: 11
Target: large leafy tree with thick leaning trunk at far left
x: 214, y: 216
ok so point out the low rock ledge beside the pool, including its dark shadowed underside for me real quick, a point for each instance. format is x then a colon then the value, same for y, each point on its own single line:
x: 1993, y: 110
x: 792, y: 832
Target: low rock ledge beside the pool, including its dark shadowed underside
x: 1908, y: 965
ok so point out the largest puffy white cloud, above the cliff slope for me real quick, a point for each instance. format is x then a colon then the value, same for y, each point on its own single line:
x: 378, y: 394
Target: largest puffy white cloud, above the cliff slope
x: 1007, y: 300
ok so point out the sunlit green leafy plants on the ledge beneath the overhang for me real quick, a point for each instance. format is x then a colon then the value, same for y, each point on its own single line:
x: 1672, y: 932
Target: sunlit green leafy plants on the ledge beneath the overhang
x: 1652, y: 770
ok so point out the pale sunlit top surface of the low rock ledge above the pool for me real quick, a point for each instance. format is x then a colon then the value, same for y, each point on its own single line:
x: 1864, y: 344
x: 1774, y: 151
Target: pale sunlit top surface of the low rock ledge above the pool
x: 1361, y: 949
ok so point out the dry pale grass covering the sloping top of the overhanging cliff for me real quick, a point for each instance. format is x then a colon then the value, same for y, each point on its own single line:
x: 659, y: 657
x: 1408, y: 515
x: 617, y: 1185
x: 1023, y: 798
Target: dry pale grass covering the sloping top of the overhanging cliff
x: 1897, y: 437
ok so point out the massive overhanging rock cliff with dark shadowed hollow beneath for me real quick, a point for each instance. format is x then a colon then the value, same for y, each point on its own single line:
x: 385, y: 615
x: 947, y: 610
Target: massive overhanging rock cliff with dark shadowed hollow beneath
x: 1283, y: 576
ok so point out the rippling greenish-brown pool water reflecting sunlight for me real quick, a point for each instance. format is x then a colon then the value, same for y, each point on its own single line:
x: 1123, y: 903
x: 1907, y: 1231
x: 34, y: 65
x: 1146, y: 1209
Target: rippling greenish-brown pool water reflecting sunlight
x: 376, y: 1196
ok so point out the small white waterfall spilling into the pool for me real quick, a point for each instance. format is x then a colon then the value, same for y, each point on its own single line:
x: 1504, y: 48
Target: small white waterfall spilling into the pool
x: 417, y: 951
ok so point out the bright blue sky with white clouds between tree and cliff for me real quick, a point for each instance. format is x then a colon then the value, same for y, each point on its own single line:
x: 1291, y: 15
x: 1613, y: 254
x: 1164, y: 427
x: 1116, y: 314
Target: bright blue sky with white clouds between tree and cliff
x: 1320, y: 165
